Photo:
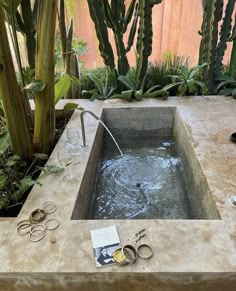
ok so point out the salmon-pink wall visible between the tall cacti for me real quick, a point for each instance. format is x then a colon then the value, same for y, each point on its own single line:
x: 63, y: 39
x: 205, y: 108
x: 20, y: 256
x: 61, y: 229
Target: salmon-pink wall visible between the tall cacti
x: 175, y: 28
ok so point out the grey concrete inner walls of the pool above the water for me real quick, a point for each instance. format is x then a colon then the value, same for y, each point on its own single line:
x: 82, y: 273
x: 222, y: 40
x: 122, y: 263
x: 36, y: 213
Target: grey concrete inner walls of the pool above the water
x: 154, y: 121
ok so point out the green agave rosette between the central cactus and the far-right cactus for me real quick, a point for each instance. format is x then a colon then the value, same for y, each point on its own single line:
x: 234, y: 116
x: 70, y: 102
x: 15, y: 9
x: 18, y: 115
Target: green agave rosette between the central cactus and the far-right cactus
x: 187, y: 80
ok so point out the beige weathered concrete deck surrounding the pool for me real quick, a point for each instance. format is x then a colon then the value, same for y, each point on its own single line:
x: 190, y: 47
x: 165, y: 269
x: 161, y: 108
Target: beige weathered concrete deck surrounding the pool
x: 188, y: 254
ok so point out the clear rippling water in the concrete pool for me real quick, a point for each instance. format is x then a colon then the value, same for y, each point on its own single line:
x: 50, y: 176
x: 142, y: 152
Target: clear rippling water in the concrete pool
x: 146, y: 183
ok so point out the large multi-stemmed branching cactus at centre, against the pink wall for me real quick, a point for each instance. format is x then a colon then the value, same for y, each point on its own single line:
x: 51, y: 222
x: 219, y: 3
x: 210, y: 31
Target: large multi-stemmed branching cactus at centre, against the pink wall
x: 117, y: 18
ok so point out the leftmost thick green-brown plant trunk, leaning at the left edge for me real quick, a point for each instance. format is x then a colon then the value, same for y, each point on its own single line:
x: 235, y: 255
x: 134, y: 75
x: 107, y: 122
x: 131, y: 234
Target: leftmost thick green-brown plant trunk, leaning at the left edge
x: 12, y: 99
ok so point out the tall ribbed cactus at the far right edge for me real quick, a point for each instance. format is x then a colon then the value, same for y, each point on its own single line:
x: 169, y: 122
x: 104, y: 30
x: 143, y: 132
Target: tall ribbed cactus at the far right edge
x: 212, y: 47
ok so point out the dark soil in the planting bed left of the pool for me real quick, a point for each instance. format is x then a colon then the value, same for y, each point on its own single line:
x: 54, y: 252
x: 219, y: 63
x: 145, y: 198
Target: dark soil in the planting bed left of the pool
x: 61, y: 123
